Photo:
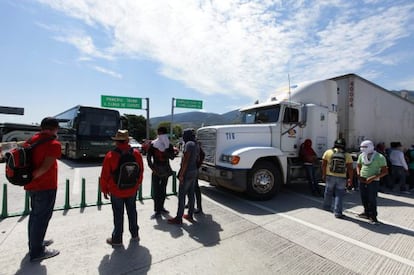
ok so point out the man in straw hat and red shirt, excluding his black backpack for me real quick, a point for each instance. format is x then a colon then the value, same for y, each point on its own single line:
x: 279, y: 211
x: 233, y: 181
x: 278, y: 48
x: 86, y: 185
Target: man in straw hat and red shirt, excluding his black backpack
x: 120, y: 197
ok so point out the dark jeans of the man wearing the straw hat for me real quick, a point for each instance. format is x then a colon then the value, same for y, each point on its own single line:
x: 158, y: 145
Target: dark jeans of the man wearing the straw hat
x: 118, y: 212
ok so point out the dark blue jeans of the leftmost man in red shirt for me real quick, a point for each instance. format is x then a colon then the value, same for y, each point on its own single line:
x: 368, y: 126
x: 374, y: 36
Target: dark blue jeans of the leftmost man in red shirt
x: 42, y: 204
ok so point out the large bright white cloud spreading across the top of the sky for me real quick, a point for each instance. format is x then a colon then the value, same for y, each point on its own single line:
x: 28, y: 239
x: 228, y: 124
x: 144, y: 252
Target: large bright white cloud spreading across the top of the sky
x: 243, y: 47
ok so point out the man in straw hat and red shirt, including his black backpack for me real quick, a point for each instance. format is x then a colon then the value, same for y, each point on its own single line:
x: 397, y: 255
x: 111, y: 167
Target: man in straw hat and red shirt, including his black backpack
x: 121, y: 176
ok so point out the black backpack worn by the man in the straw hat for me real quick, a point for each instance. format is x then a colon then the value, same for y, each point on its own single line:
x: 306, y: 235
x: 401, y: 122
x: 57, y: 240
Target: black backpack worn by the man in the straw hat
x: 127, y: 173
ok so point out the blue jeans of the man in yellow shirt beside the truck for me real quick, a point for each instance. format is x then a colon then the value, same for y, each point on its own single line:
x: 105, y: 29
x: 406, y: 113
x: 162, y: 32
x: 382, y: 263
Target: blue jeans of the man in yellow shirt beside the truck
x: 334, y: 185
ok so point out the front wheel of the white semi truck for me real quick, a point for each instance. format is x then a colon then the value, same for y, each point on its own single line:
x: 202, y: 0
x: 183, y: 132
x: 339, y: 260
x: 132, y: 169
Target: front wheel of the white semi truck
x: 264, y: 181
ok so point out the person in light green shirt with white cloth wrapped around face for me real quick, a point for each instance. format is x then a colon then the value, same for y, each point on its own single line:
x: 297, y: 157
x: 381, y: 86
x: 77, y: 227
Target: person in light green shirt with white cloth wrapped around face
x: 371, y: 166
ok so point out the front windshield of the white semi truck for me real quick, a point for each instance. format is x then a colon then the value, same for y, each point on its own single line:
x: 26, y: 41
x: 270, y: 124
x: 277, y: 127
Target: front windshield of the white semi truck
x: 268, y: 114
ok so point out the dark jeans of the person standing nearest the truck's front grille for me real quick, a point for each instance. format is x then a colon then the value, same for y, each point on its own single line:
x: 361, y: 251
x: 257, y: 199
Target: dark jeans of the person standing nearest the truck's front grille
x: 186, y: 188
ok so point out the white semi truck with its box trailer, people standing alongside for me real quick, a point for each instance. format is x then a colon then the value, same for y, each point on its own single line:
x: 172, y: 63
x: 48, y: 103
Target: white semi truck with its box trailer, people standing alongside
x: 261, y: 154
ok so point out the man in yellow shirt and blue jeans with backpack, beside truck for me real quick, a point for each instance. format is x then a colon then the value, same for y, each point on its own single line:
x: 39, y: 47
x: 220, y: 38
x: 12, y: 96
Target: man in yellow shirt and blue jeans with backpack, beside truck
x: 336, y: 166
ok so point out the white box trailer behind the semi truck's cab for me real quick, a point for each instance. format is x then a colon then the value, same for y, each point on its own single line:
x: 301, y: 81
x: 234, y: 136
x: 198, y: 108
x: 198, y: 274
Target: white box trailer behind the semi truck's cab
x: 368, y: 111
